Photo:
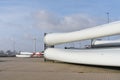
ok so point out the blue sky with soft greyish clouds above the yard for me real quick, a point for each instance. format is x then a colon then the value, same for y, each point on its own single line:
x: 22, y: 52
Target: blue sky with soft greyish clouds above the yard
x: 22, y: 21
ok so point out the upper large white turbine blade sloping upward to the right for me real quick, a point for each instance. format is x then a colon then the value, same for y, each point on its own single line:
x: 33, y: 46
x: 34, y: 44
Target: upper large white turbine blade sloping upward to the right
x: 90, y: 33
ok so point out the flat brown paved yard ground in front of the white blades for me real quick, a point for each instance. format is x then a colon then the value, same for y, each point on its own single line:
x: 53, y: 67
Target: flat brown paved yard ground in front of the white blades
x: 37, y: 69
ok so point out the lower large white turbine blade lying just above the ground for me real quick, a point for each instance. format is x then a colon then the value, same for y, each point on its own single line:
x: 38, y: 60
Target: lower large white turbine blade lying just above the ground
x: 103, y: 57
